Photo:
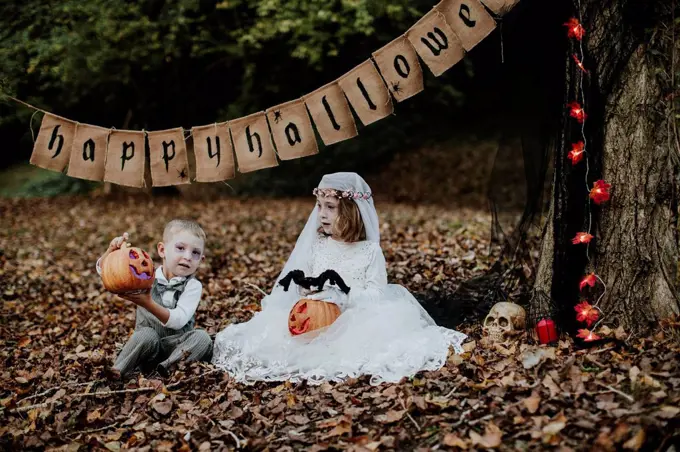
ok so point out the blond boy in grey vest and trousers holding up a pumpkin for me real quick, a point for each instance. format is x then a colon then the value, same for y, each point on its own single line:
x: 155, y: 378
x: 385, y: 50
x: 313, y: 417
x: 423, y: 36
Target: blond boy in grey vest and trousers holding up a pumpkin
x: 164, y: 328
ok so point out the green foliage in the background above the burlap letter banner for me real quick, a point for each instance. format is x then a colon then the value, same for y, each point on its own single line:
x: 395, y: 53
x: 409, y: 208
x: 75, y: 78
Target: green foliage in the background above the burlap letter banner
x: 66, y: 53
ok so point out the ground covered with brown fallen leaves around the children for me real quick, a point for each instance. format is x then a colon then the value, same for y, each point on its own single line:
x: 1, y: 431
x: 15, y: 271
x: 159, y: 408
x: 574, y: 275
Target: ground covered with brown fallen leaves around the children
x: 59, y: 329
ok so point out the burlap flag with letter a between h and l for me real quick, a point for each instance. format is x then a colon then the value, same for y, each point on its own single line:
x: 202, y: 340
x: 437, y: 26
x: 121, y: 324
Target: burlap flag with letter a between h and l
x: 292, y: 130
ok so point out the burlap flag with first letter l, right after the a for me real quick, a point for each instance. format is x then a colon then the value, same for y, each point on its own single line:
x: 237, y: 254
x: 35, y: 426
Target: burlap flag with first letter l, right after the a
x: 331, y: 114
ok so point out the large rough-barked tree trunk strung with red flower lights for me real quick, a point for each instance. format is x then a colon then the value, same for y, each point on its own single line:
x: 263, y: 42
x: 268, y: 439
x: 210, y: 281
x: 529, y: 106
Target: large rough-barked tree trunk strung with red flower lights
x: 631, y: 144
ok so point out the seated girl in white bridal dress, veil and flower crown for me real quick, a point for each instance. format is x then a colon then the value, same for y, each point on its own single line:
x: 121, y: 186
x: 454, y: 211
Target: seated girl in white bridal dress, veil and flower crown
x: 382, y: 330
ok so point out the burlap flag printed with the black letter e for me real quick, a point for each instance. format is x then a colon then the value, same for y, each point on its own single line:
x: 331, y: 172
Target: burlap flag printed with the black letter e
x: 468, y: 19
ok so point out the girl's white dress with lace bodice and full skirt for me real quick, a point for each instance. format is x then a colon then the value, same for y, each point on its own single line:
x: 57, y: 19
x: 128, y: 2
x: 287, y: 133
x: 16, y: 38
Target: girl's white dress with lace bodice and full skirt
x: 382, y: 331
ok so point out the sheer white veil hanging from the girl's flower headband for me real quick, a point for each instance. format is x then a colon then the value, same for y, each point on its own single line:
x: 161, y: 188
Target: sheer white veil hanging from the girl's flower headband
x: 300, y: 257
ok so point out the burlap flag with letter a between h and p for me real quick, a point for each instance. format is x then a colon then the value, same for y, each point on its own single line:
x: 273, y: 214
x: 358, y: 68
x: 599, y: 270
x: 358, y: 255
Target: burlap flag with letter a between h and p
x: 88, y: 153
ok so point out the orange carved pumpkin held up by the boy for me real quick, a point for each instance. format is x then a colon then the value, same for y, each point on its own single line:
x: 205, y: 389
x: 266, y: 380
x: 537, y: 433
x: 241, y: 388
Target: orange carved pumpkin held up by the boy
x: 127, y: 269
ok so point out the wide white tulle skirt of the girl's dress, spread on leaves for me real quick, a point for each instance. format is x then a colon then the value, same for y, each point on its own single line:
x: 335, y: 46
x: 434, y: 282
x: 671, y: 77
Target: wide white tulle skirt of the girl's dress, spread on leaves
x: 388, y: 339
